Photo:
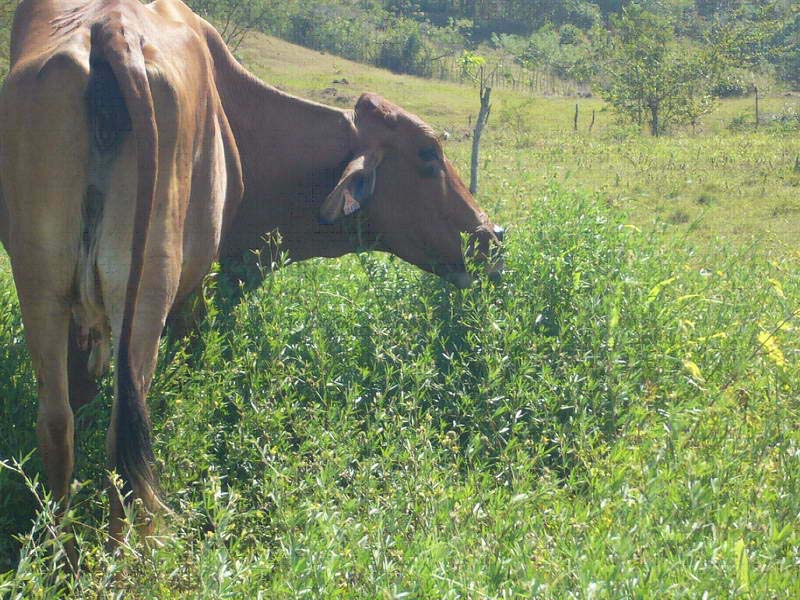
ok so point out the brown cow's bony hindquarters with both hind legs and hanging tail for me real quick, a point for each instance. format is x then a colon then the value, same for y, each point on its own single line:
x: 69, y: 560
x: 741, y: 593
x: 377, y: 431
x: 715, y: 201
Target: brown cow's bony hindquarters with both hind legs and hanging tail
x: 119, y: 172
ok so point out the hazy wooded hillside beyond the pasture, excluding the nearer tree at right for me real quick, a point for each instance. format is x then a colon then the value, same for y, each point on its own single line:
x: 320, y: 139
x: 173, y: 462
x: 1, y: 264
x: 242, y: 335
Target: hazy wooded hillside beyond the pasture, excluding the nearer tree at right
x: 557, y: 35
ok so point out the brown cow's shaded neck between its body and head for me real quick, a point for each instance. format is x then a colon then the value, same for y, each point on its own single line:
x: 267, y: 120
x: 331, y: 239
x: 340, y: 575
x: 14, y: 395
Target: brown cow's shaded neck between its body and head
x: 292, y: 152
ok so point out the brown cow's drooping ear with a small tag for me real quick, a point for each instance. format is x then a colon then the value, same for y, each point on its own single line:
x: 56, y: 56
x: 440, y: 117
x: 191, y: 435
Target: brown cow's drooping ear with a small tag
x: 354, y: 189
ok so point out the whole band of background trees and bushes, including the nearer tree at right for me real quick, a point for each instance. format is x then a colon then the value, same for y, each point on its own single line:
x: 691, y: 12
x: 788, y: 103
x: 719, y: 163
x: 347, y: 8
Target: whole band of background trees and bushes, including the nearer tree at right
x: 658, y: 62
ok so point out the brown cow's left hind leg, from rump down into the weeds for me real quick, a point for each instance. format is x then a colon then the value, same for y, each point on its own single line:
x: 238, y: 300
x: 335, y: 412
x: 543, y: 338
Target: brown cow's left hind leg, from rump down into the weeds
x: 44, y: 182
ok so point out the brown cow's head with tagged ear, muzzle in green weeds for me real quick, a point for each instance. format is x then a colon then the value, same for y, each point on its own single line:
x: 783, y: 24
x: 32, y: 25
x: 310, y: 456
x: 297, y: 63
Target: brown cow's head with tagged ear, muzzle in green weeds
x: 413, y: 201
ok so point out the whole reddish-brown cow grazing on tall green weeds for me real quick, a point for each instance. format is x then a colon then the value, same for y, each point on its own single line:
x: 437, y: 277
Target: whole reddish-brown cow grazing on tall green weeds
x: 135, y: 150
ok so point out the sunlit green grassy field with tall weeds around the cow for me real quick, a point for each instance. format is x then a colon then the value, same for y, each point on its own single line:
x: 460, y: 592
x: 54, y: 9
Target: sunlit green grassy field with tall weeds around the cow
x: 617, y: 419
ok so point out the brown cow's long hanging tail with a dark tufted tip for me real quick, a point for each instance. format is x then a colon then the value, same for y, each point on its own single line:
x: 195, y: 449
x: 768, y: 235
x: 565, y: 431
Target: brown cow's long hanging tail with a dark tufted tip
x: 121, y: 50
